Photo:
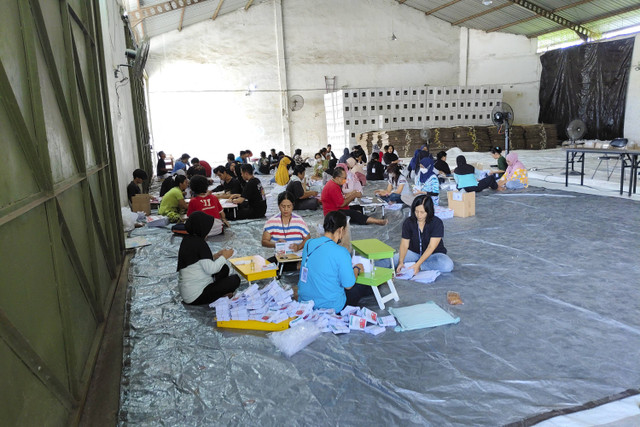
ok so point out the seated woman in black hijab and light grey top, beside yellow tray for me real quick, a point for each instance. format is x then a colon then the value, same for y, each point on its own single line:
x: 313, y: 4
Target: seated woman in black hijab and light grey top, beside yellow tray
x: 203, y: 276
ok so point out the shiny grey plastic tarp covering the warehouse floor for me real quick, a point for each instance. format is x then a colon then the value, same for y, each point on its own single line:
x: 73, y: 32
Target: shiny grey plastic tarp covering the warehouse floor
x: 551, y: 319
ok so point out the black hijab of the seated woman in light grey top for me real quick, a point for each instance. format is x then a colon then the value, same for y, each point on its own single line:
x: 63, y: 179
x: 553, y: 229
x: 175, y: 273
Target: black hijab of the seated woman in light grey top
x: 193, y: 247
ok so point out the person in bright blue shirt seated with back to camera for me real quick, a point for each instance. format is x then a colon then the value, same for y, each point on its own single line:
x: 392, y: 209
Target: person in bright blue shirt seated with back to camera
x: 326, y: 274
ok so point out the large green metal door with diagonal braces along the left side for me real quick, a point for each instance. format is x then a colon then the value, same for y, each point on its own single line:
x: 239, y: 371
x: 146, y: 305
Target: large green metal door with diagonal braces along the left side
x: 61, y: 244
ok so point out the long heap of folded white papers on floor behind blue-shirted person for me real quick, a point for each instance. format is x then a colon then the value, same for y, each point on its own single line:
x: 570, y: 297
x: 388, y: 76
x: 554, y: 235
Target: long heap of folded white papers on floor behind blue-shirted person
x: 273, y: 304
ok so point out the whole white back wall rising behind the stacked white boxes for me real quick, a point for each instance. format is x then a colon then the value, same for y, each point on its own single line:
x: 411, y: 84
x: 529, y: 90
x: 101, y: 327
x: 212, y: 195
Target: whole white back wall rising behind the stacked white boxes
x: 199, y: 77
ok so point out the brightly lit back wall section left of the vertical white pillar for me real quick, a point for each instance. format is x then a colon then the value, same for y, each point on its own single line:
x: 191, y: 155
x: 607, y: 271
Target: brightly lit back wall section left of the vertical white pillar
x: 198, y: 83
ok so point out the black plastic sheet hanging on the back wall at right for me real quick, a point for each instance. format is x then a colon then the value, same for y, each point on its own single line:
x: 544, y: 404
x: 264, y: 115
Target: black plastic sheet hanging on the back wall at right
x: 587, y: 82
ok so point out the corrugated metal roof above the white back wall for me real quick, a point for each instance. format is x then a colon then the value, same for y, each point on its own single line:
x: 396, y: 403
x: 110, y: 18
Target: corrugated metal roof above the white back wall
x: 501, y: 15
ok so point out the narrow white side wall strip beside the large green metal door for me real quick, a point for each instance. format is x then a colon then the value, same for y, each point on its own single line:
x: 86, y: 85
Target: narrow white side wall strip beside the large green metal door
x: 124, y: 131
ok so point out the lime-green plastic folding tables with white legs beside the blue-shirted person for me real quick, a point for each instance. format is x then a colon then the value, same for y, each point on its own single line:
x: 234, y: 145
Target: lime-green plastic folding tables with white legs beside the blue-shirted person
x: 374, y: 249
